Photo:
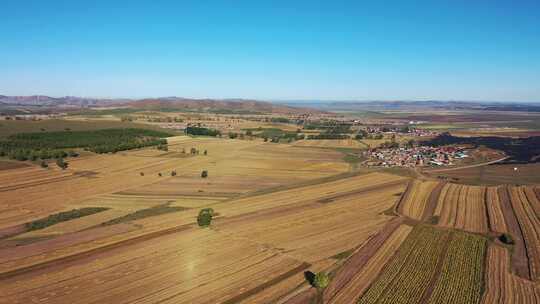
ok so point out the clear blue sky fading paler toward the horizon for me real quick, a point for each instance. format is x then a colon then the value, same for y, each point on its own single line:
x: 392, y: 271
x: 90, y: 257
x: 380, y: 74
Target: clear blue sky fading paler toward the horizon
x: 353, y: 50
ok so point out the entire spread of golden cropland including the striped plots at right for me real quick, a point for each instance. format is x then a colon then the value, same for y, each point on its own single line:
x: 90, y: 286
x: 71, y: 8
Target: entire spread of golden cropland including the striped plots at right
x: 280, y: 210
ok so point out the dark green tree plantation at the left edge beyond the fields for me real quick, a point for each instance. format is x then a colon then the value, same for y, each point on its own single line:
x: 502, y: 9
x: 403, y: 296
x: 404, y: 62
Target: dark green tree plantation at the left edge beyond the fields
x: 48, y: 145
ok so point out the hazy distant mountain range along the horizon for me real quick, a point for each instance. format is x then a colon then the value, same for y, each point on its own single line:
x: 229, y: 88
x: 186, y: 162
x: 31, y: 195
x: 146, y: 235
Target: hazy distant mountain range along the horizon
x: 257, y: 106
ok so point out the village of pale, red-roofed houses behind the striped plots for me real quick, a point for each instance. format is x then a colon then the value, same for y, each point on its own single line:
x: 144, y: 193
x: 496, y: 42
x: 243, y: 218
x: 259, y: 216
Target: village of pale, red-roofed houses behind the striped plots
x: 416, y: 156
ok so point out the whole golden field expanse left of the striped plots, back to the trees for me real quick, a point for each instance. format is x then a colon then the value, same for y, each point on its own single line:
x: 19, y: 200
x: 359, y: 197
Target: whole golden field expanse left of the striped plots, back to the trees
x: 267, y: 231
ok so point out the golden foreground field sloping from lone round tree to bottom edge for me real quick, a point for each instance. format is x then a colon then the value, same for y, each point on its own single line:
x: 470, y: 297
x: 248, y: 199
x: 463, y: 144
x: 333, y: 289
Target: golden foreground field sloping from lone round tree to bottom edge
x: 181, y: 257
